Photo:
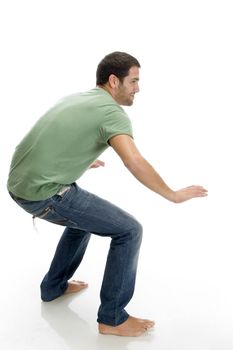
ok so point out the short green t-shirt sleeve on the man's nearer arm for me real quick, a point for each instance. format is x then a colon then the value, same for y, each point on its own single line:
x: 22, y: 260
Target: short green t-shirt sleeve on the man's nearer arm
x: 117, y: 123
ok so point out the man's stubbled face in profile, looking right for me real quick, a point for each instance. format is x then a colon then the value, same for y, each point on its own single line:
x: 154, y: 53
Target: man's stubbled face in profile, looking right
x: 125, y: 91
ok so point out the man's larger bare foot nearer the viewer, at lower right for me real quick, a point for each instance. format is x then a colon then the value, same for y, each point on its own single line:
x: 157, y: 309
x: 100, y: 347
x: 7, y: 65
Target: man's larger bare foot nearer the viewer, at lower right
x: 132, y: 327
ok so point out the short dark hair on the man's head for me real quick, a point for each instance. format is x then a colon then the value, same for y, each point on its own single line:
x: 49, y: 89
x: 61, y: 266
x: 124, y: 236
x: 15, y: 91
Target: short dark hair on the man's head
x: 117, y: 63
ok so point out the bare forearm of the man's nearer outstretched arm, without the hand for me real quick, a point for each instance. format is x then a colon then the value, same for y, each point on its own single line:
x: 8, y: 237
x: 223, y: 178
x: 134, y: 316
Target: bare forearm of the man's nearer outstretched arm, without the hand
x: 147, y: 175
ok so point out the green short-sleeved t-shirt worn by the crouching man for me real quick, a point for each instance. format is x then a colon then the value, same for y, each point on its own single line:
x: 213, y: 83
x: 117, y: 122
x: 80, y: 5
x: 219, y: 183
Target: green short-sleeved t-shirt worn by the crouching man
x: 64, y: 143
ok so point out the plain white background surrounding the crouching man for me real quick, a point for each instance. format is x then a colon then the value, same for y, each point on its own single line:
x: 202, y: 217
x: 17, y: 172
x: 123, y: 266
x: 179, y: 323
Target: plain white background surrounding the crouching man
x: 182, y: 125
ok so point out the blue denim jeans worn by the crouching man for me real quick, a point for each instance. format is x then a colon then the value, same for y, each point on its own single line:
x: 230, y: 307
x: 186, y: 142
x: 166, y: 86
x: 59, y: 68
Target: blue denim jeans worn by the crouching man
x: 84, y: 213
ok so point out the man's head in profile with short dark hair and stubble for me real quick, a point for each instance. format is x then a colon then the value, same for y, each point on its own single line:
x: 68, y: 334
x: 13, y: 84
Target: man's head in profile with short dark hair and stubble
x: 118, y: 73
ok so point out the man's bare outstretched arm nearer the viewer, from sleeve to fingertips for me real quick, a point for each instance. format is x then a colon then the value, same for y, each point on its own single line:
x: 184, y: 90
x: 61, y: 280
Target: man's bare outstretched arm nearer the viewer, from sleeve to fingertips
x: 147, y: 175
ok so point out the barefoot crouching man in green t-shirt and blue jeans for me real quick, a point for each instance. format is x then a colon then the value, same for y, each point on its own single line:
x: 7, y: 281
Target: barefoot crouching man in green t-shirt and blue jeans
x: 60, y: 147
